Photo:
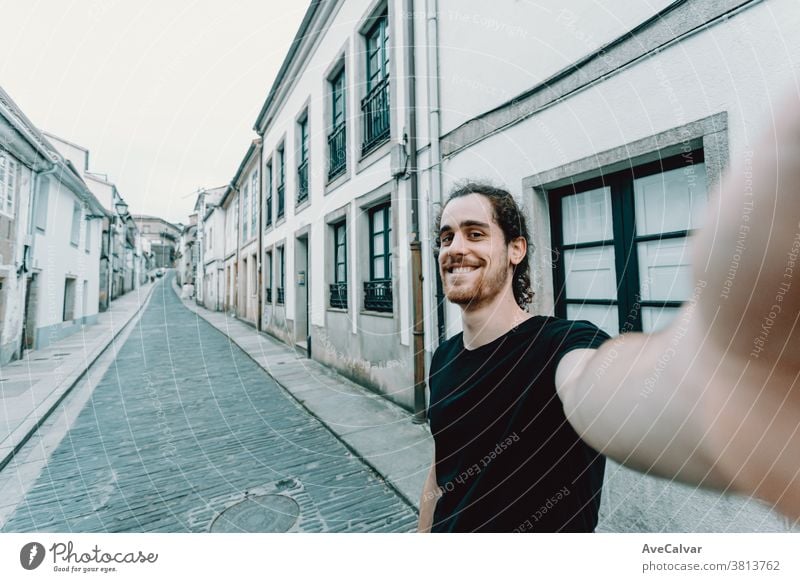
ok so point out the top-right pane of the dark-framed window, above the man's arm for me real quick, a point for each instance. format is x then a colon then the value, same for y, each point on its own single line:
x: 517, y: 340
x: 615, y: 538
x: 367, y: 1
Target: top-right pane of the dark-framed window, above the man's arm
x: 671, y: 201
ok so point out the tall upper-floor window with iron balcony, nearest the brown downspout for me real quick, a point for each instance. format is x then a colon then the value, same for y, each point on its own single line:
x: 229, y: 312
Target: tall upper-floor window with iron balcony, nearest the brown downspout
x: 375, y: 105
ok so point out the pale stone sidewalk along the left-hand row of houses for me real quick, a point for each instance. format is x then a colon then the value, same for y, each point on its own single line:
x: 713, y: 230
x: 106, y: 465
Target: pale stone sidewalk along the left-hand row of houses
x: 31, y: 388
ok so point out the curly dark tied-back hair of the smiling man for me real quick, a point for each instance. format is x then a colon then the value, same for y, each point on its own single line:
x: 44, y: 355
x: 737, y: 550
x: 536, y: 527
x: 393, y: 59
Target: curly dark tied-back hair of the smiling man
x: 510, y: 219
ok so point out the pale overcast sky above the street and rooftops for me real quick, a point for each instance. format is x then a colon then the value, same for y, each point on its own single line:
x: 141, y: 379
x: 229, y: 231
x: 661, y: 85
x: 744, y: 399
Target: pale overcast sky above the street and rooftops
x: 164, y: 95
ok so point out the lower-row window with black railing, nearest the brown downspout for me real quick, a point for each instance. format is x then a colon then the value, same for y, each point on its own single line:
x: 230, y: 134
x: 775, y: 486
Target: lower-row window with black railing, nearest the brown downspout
x: 378, y: 290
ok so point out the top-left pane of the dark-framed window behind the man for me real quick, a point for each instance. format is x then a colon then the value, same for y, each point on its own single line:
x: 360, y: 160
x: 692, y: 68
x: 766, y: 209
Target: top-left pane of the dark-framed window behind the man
x: 586, y: 217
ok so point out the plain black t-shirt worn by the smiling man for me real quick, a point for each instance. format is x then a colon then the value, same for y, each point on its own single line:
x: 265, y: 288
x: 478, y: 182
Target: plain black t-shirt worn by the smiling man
x: 506, y: 457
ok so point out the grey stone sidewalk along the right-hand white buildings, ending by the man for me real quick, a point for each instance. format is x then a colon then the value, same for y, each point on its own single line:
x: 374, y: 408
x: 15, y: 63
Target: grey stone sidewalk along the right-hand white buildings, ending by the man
x: 377, y: 431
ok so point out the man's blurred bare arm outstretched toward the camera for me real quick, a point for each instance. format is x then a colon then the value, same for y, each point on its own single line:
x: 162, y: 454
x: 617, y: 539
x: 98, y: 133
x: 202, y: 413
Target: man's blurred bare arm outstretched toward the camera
x: 714, y: 399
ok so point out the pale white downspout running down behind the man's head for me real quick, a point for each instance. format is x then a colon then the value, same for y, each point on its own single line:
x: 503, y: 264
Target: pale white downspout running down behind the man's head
x: 434, y: 132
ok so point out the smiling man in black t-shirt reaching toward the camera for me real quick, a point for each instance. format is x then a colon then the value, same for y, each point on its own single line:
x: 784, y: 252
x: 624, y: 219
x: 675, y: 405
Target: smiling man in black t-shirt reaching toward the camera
x: 522, y: 406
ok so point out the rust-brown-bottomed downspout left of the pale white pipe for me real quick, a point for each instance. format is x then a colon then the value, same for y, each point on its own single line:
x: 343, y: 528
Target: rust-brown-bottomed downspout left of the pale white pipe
x: 420, y: 411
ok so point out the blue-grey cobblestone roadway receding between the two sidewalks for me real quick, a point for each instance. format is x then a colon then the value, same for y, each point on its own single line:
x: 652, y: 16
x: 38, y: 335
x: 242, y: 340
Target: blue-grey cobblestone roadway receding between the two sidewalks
x: 184, y: 425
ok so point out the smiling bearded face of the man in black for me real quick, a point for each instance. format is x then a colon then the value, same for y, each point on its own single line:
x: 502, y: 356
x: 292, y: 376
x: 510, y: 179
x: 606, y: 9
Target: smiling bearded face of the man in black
x: 474, y: 259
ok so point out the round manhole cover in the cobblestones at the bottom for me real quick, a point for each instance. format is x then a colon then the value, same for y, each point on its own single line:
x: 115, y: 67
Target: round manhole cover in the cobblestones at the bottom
x: 261, y: 514
